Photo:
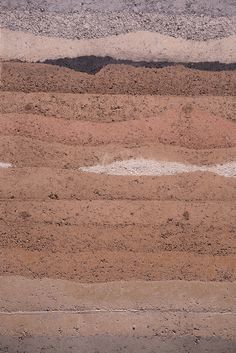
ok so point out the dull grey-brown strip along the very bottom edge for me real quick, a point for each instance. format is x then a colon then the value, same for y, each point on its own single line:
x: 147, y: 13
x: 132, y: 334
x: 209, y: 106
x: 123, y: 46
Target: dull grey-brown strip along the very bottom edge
x: 115, y: 344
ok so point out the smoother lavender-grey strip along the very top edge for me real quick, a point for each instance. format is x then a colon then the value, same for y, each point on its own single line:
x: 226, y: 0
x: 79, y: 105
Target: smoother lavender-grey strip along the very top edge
x: 197, y: 7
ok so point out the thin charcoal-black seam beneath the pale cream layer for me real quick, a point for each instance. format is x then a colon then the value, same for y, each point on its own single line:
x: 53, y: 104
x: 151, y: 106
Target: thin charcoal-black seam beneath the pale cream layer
x: 93, y: 64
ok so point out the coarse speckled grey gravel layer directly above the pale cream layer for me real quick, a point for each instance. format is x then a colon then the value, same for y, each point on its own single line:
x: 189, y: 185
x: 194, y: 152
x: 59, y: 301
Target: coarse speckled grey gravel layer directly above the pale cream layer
x: 91, y: 24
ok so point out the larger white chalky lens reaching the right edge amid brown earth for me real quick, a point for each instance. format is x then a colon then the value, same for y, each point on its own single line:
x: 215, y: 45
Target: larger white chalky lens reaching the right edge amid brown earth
x: 151, y: 167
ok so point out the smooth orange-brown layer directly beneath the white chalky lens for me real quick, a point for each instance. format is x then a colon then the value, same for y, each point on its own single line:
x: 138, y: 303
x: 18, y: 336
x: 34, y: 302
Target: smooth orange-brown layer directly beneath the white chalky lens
x: 47, y: 183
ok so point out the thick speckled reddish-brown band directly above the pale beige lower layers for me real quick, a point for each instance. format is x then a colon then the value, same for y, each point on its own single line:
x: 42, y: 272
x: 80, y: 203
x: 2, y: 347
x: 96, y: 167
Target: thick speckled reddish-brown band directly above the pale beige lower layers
x: 117, y: 234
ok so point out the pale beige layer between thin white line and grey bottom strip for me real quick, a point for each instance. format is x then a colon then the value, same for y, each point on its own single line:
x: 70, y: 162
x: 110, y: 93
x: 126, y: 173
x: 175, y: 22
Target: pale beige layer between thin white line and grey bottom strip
x: 125, y: 323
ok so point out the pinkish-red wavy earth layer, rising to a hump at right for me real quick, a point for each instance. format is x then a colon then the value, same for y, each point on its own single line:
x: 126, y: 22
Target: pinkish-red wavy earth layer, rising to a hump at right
x: 186, y: 127
